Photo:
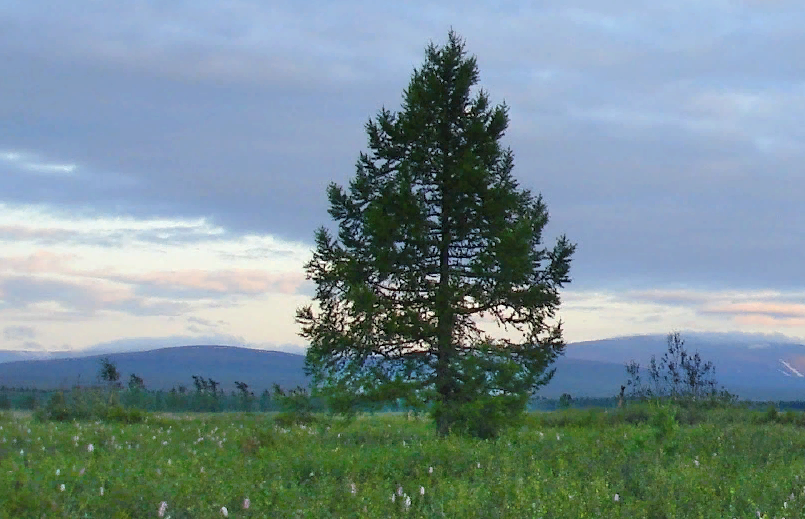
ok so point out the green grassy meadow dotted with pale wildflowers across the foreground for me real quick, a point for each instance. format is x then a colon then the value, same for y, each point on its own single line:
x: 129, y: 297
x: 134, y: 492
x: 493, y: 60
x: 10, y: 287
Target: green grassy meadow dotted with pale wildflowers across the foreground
x: 631, y: 463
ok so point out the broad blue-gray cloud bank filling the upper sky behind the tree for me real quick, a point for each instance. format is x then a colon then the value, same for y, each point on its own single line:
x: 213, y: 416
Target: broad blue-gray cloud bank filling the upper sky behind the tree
x: 666, y: 138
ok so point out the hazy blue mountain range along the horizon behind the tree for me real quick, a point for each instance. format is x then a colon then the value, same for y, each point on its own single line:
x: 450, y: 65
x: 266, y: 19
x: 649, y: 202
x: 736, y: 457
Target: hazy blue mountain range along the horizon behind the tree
x: 753, y: 366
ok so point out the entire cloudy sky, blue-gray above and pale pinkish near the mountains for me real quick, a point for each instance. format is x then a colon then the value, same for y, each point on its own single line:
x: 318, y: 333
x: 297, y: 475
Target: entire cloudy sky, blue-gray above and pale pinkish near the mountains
x: 163, y: 165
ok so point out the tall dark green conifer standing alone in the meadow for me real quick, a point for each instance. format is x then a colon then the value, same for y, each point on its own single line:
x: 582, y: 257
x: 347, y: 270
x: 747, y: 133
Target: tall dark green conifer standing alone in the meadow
x: 434, y: 234
